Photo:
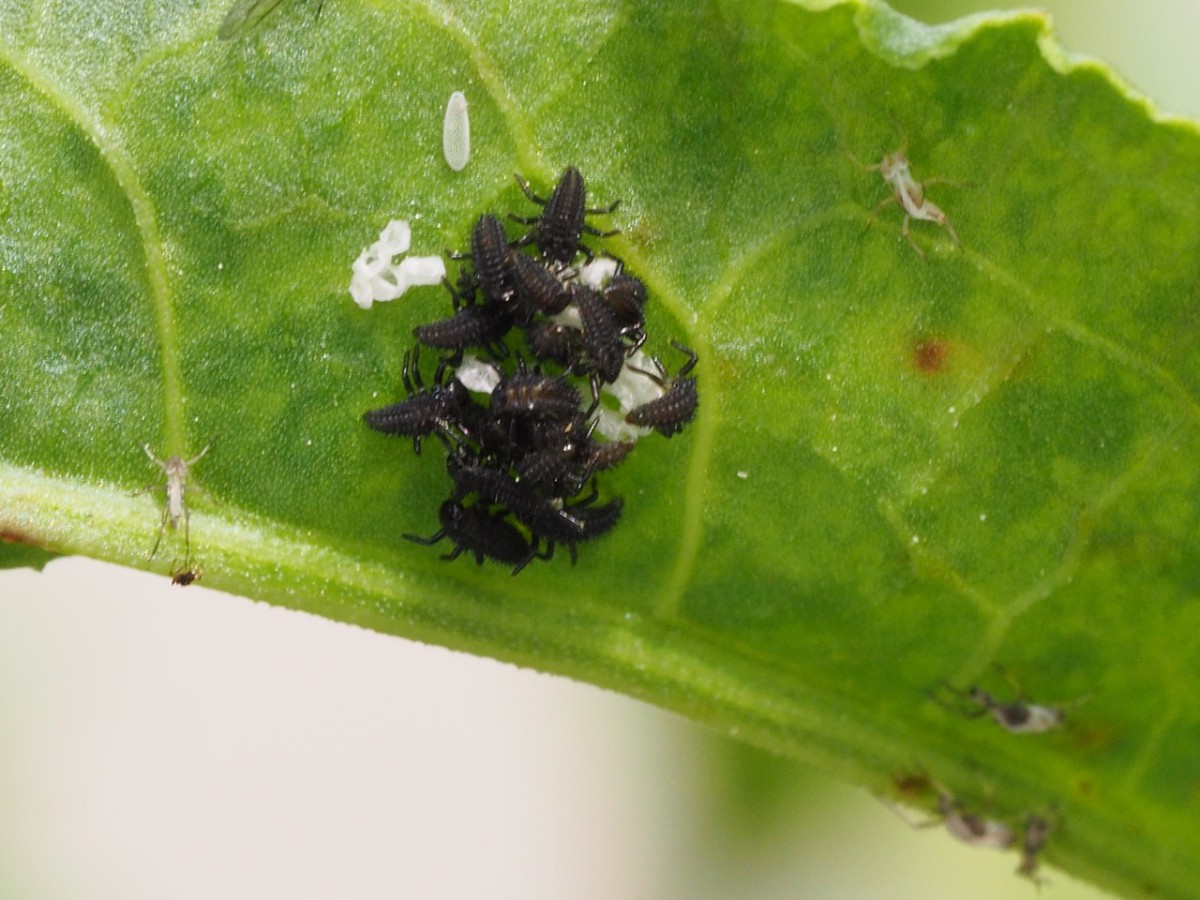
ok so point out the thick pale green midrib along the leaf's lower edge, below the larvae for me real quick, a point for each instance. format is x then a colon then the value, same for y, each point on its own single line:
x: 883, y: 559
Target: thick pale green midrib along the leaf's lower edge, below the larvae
x: 728, y: 686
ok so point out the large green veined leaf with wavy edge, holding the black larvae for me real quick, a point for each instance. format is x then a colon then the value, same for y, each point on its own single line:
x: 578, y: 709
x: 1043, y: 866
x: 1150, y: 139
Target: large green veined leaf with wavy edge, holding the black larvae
x: 903, y: 471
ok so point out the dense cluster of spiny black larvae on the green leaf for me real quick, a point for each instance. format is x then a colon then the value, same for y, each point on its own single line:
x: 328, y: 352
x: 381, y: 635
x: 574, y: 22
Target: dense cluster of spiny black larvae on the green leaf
x: 525, y: 428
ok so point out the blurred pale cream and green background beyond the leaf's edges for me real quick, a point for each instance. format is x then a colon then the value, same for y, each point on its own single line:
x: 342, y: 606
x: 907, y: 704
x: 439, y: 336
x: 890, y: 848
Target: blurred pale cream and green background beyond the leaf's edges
x: 165, y: 743
